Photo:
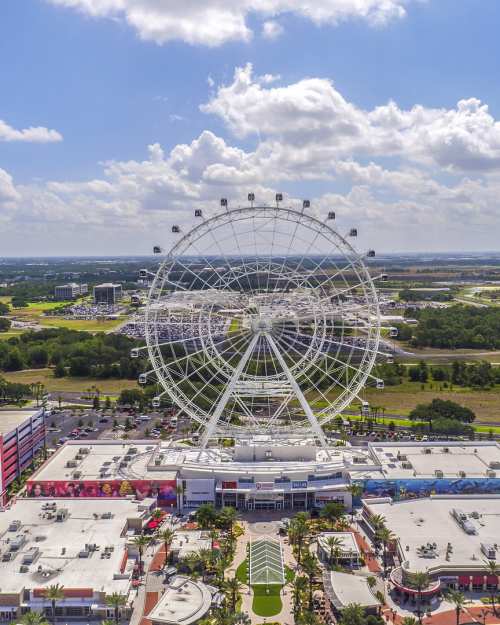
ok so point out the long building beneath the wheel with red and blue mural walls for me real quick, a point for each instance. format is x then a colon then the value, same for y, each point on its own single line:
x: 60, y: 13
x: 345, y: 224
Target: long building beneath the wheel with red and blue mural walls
x: 264, y: 475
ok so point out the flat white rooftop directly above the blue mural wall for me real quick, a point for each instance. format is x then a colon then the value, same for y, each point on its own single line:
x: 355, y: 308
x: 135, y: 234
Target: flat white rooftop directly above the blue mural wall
x: 426, y: 460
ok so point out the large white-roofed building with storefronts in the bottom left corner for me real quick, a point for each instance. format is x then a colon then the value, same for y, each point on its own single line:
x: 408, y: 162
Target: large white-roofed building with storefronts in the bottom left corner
x: 82, y: 545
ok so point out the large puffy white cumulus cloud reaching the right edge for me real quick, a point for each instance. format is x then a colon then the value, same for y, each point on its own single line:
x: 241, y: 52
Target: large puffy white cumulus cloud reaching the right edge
x: 313, y: 121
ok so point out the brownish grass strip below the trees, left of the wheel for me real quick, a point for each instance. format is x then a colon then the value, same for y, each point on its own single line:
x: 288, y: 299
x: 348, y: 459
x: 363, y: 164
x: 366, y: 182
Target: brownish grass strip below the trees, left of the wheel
x: 67, y: 384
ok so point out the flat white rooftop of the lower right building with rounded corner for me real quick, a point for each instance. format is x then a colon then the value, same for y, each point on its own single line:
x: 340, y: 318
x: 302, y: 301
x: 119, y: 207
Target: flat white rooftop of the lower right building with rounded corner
x: 420, y: 522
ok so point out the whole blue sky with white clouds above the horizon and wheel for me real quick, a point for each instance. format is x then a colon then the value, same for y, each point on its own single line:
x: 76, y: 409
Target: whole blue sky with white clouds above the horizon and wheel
x: 100, y: 85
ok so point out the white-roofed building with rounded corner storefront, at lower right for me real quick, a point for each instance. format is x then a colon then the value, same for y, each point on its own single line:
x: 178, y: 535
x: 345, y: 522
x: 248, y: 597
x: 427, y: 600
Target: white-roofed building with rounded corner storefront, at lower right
x: 450, y: 537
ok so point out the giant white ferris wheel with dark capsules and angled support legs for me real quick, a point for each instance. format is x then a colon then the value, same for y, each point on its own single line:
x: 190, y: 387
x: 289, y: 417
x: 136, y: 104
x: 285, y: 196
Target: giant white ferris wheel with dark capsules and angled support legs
x: 262, y: 320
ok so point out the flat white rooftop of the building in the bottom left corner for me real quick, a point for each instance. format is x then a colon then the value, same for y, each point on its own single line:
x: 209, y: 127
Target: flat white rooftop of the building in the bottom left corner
x: 59, y: 544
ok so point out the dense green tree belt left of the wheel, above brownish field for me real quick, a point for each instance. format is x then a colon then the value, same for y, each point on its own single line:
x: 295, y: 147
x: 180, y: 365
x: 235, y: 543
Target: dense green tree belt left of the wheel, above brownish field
x: 71, y: 353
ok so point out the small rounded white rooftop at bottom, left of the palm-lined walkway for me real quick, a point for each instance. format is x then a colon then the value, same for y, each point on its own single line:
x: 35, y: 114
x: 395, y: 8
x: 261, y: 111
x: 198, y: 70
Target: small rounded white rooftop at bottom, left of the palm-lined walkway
x: 185, y: 601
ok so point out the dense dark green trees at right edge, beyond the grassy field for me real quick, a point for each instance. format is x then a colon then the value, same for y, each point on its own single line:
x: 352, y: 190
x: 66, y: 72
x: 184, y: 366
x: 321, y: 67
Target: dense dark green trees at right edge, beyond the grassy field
x: 457, y: 327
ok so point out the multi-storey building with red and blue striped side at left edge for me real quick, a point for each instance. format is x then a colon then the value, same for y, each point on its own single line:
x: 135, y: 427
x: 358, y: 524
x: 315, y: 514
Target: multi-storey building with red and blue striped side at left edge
x: 22, y: 434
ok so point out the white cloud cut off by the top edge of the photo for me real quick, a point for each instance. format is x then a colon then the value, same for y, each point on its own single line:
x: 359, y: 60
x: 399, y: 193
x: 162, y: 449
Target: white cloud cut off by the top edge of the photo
x: 215, y: 22
